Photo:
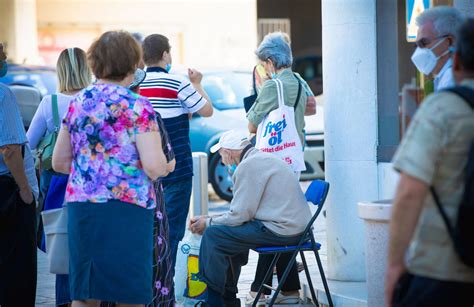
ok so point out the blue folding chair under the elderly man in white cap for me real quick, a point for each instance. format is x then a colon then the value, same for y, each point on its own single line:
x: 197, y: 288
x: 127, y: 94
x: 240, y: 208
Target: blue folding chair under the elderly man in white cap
x: 316, y: 194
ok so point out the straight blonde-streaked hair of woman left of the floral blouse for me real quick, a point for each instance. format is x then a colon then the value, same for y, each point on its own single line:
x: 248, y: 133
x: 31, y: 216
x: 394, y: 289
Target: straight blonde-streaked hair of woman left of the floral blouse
x: 72, y: 69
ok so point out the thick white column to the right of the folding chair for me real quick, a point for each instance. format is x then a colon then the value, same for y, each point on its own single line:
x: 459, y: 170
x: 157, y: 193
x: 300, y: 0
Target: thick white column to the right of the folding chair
x: 350, y: 95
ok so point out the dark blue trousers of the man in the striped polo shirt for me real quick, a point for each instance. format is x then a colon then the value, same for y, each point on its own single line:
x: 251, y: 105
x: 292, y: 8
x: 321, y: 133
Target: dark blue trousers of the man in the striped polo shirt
x: 177, y: 199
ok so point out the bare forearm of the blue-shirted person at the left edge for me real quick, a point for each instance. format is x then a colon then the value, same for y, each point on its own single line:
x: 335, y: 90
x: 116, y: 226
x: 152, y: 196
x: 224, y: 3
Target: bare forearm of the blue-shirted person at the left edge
x: 14, y: 162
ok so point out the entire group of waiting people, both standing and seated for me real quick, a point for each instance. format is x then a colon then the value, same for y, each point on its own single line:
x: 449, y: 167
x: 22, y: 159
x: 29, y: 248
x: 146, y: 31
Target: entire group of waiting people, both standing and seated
x: 123, y: 150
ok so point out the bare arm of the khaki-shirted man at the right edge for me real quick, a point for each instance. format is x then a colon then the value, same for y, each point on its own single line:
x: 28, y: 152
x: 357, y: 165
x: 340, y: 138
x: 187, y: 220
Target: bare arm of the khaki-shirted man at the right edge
x: 407, y: 206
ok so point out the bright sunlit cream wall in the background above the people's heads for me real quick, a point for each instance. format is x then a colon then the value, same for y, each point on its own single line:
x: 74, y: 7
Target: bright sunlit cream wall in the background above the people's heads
x: 203, y: 33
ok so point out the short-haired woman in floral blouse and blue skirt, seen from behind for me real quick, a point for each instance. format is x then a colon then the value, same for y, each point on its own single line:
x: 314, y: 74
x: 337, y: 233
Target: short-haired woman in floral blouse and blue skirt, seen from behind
x: 110, y: 145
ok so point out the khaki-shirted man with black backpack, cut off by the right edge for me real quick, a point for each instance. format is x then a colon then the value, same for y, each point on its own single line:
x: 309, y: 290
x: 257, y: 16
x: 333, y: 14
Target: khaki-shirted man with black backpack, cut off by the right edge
x: 424, y: 266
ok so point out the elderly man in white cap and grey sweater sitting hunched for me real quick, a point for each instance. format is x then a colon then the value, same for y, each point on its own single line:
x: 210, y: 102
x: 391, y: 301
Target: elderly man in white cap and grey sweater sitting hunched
x: 268, y: 209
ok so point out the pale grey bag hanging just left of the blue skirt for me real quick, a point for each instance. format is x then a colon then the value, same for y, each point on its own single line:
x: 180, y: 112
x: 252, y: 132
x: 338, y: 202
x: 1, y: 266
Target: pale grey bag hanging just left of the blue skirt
x: 57, y: 245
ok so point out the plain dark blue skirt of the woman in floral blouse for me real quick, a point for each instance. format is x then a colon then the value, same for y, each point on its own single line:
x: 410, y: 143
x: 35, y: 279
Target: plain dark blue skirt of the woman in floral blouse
x: 111, y: 250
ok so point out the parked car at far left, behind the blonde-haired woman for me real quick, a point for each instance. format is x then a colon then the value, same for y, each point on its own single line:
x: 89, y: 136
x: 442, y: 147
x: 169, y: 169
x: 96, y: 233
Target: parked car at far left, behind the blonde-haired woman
x: 30, y: 84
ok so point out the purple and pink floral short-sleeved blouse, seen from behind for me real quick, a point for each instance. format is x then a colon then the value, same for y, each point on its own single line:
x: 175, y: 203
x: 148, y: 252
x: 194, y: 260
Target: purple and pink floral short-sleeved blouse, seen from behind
x: 103, y: 121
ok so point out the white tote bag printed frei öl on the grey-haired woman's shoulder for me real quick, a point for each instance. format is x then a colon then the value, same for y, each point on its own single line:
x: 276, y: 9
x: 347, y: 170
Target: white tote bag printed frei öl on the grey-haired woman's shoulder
x: 277, y: 134
